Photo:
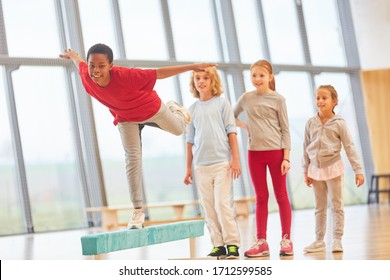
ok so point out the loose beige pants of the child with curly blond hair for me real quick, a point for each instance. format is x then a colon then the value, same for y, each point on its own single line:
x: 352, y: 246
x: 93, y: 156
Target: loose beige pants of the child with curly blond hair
x: 215, y: 188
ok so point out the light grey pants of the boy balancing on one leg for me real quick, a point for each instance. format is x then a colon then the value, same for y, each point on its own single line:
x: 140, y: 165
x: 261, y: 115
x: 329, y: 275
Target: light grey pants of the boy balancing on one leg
x: 130, y: 133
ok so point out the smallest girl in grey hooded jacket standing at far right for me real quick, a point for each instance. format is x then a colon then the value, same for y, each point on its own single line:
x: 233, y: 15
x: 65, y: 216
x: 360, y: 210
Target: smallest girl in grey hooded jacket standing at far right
x: 325, y: 134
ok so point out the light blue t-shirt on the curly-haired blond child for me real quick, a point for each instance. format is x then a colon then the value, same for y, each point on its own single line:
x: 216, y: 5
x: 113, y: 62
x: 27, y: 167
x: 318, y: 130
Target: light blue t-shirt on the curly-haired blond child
x: 211, y: 122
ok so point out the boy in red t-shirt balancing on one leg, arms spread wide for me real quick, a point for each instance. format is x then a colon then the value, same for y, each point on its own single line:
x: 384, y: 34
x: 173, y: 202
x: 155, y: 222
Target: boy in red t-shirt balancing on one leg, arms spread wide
x: 129, y: 95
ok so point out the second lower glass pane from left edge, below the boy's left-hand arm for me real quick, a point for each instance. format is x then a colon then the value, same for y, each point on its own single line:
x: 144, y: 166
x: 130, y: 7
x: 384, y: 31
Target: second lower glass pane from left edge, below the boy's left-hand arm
x: 48, y: 148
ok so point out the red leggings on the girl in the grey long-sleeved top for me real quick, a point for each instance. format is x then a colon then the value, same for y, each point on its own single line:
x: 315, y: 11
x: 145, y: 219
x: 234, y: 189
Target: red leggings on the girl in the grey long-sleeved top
x: 258, y: 162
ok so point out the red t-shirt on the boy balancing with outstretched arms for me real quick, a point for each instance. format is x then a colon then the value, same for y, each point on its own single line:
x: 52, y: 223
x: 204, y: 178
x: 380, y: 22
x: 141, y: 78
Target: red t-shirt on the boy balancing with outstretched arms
x: 129, y: 96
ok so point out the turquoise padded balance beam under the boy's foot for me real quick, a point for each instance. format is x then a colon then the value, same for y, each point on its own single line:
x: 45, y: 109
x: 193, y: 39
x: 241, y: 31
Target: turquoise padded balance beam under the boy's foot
x: 101, y: 243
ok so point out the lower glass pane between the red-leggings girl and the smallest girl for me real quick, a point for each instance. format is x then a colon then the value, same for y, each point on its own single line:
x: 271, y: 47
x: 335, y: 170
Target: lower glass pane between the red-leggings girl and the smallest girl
x: 296, y: 99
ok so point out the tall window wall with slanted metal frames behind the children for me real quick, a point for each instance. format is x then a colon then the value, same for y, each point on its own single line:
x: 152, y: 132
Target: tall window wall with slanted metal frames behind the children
x: 70, y: 153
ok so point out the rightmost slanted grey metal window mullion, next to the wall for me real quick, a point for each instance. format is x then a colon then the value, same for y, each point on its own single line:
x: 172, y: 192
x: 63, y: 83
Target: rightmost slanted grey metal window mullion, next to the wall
x: 352, y: 56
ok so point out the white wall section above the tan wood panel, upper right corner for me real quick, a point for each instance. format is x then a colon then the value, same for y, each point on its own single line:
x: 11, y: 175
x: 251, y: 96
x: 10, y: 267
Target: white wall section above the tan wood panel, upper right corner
x: 372, y: 26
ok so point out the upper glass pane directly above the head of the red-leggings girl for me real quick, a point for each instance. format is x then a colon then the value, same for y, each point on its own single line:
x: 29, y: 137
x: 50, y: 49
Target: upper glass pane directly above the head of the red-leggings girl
x: 248, y: 30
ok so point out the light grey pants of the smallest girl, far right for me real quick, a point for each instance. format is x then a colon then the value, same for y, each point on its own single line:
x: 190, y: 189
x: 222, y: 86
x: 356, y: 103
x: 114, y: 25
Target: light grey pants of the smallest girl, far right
x: 334, y: 189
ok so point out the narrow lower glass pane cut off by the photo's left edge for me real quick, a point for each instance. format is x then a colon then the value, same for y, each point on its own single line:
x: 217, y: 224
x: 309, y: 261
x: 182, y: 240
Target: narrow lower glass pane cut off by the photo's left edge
x: 11, y: 216
